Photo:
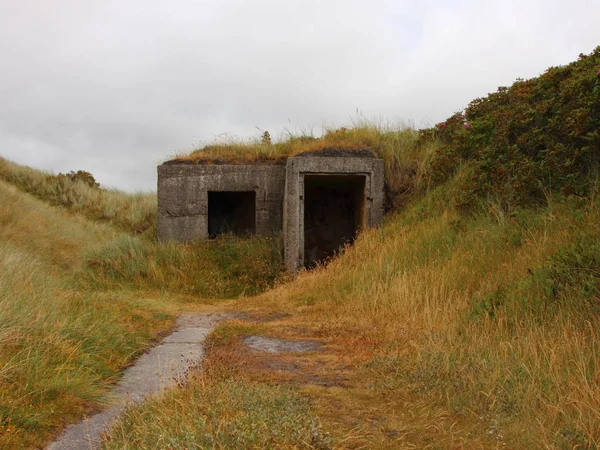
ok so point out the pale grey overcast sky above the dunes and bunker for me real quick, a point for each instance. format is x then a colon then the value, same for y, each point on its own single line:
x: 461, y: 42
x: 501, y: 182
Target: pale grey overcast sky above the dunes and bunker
x: 117, y: 87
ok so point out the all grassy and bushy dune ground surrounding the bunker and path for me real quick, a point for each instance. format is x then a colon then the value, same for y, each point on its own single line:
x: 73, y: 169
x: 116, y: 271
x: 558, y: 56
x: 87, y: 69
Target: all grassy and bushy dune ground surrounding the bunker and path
x: 469, y: 320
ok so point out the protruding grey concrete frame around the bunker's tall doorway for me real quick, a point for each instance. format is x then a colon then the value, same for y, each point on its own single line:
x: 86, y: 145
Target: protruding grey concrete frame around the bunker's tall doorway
x: 296, y: 169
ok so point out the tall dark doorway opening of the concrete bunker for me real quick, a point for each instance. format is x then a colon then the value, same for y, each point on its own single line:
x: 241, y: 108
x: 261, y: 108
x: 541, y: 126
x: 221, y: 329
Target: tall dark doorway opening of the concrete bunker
x: 334, y: 213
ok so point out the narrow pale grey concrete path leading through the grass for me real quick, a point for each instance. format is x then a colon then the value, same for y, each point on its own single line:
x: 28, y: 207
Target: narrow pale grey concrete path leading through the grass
x: 155, y: 370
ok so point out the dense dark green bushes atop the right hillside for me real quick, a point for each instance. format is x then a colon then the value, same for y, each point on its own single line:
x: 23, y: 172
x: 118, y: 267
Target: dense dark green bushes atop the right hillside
x: 525, y: 141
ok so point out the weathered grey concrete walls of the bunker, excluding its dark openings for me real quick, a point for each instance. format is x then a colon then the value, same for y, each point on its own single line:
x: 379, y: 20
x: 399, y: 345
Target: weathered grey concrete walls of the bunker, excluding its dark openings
x: 183, y: 199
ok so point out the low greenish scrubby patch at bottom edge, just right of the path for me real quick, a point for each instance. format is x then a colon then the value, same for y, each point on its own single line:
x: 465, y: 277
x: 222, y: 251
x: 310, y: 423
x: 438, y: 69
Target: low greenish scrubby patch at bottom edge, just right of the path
x: 226, y: 413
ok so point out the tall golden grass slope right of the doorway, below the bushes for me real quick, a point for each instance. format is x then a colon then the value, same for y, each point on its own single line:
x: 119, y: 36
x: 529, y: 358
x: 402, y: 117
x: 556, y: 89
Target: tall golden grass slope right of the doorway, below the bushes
x: 494, y: 318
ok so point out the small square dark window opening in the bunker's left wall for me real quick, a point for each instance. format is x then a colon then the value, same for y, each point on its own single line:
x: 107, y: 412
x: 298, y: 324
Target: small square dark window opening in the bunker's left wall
x: 231, y: 212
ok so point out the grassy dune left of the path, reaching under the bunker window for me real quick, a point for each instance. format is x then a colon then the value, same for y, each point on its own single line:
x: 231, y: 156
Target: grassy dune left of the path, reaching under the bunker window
x: 83, y: 292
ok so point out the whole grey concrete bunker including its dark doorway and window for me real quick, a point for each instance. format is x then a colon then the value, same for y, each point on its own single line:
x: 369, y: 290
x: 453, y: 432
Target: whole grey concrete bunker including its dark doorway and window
x: 317, y: 202
